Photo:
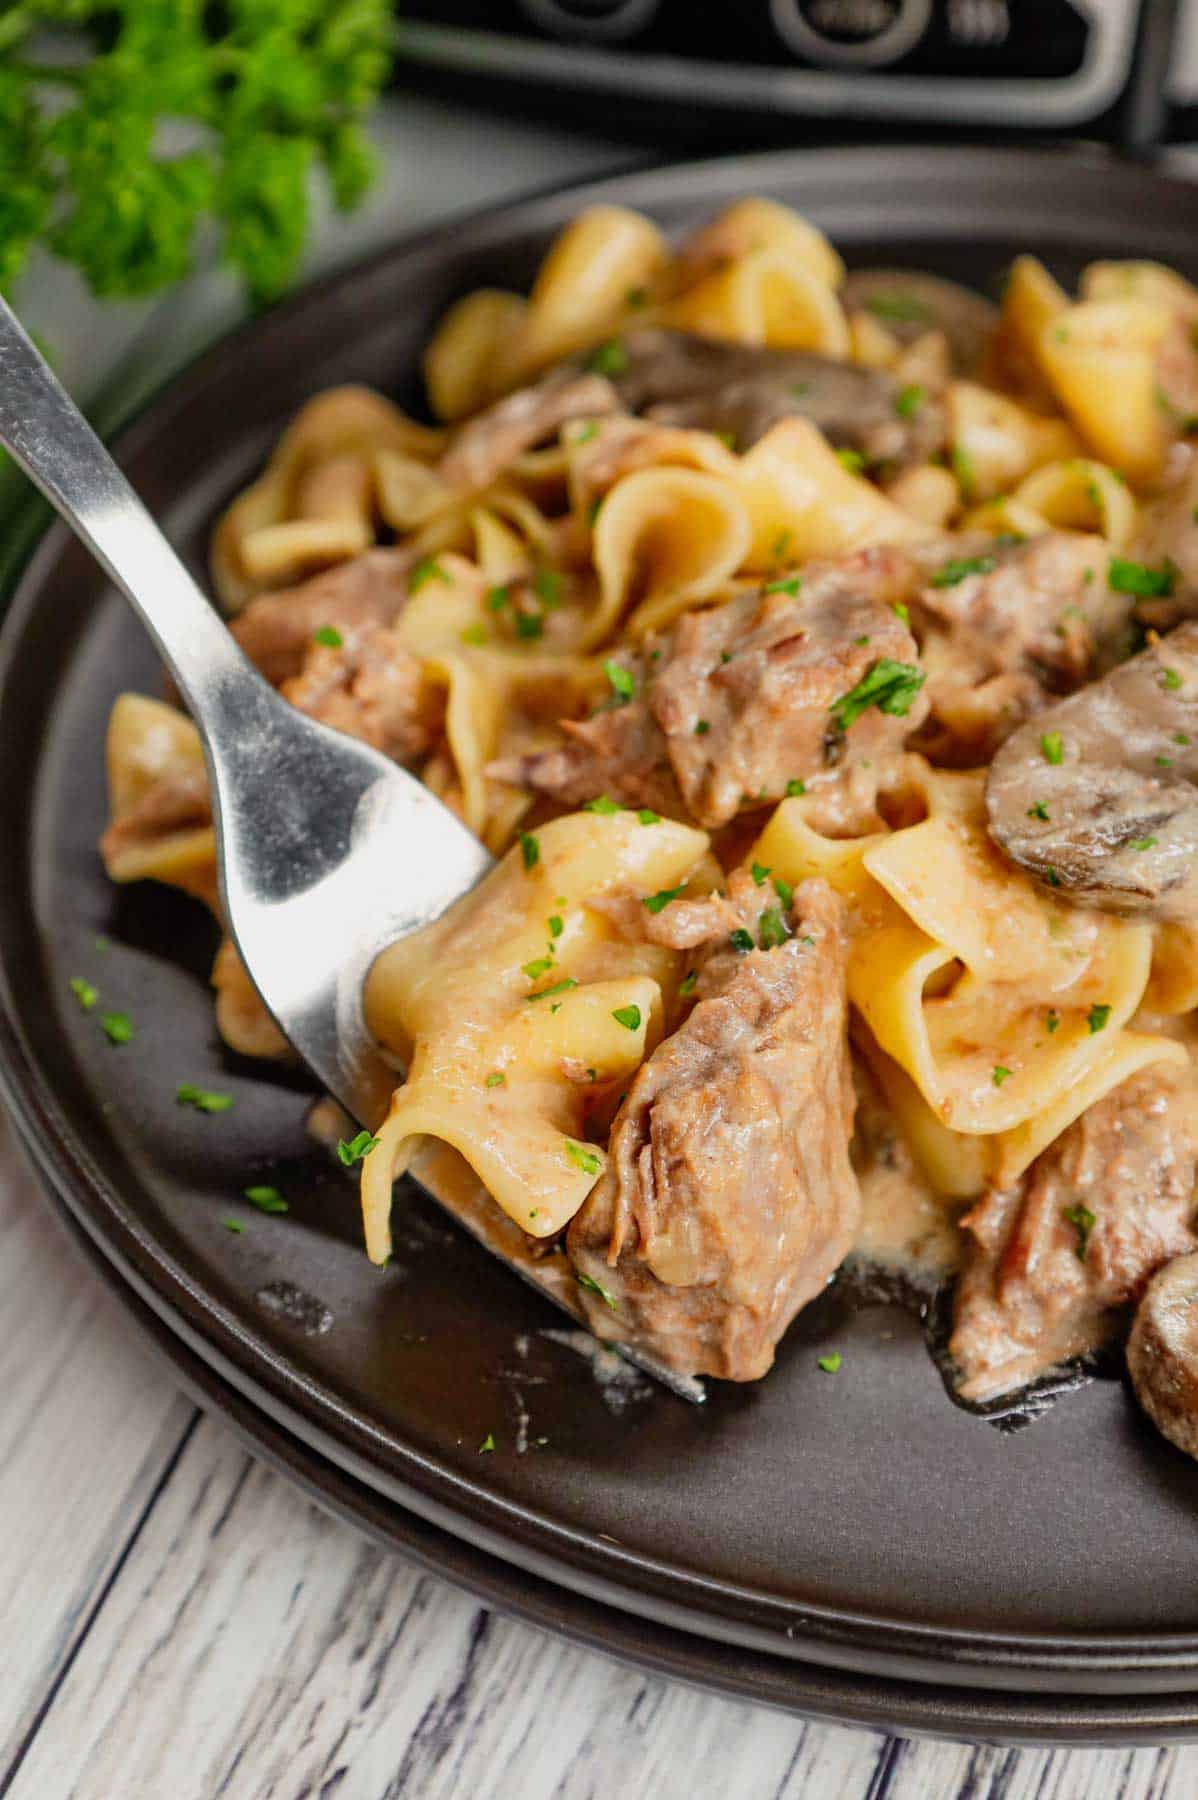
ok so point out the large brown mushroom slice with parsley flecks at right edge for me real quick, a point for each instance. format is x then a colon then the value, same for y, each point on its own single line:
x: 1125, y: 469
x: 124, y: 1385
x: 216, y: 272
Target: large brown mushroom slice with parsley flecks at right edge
x: 1098, y: 796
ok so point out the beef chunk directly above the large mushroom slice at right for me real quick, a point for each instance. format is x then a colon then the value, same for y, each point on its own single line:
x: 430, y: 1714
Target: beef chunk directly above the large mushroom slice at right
x: 1005, y: 627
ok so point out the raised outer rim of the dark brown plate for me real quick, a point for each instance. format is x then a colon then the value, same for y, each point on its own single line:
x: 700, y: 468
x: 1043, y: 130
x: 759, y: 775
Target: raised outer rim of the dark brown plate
x: 882, y: 1646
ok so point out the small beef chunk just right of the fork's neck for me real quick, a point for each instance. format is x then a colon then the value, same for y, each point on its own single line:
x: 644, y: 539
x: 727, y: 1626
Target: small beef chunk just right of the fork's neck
x: 371, y: 688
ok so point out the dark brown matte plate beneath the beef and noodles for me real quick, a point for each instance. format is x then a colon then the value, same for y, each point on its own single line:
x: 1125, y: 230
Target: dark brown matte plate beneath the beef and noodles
x: 857, y: 1520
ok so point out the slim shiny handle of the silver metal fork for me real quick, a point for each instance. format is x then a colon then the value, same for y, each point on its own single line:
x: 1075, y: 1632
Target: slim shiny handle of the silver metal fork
x: 66, y: 460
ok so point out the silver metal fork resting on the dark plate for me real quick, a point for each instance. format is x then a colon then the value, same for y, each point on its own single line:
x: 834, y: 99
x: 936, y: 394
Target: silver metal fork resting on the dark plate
x: 326, y: 850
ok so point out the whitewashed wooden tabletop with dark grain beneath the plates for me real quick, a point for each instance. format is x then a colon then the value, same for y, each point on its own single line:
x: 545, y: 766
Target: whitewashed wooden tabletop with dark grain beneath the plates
x: 175, y: 1621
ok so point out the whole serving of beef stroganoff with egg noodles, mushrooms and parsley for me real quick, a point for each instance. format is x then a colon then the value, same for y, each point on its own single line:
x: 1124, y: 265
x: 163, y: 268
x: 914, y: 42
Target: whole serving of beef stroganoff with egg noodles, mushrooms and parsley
x: 814, y: 652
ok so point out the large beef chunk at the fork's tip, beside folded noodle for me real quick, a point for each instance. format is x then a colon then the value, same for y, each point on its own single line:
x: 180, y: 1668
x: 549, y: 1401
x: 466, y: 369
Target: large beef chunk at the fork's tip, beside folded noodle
x: 729, y: 1198
